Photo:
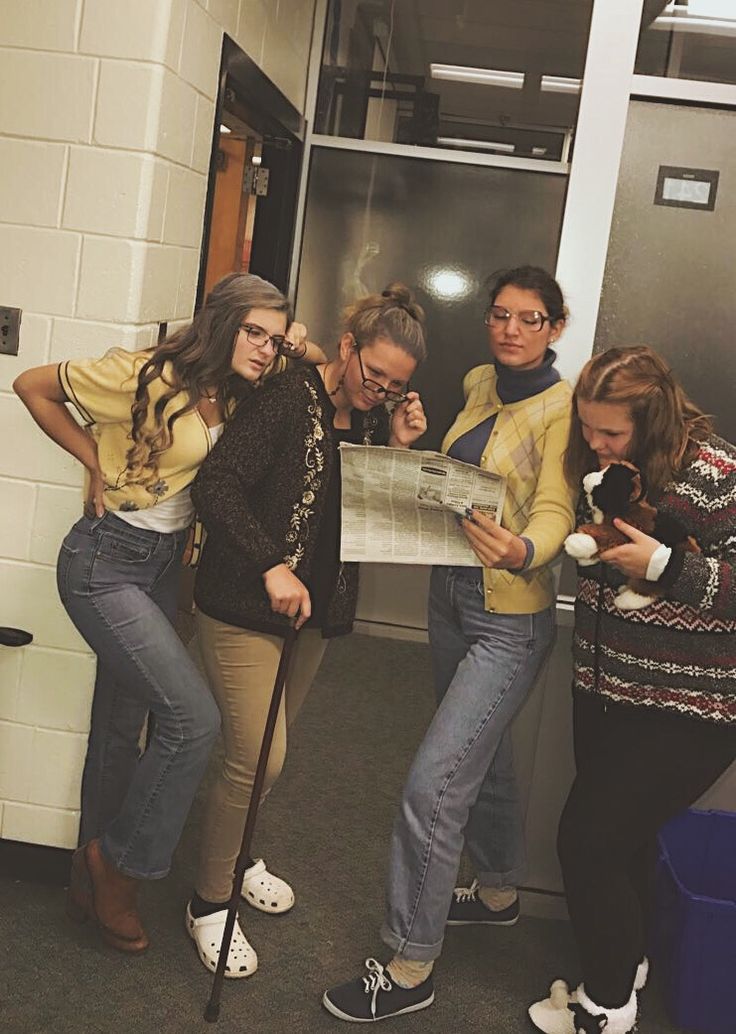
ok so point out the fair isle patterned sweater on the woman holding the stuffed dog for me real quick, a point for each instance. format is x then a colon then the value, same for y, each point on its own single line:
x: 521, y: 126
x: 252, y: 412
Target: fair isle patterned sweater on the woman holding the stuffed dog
x: 680, y: 653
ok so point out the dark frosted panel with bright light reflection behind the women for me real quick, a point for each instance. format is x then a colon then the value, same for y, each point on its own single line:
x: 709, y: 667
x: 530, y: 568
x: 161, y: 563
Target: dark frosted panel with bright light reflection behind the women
x: 441, y: 228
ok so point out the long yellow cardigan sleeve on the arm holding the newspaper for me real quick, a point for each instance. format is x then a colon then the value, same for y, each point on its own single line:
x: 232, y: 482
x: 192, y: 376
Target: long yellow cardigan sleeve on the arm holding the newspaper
x: 553, y: 516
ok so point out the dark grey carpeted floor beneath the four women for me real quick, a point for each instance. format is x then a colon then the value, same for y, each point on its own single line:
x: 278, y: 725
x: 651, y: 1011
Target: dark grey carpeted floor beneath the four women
x: 326, y: 828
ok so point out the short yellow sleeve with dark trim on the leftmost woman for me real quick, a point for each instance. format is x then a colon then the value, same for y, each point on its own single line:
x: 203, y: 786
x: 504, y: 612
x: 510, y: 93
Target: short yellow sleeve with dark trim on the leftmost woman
x: 103, y: 390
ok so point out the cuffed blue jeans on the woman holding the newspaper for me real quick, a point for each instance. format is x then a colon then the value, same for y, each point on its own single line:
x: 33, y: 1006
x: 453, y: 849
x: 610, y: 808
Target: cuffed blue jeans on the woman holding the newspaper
x: 462, y: 788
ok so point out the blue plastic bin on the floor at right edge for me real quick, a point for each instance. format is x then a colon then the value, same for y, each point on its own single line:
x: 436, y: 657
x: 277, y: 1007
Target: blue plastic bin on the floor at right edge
x: 695, y: 942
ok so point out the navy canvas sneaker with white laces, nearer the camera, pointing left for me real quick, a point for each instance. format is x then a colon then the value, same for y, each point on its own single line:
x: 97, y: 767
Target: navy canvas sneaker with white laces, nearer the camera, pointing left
x: 376, y: 997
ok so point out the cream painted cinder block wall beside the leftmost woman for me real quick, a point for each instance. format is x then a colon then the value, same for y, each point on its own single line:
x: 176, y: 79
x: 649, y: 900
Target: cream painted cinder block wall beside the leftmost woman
x: 106, y: 126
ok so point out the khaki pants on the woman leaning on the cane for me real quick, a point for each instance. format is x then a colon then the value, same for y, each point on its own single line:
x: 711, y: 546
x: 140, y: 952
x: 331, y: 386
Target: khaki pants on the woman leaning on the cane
x: 241, y: 667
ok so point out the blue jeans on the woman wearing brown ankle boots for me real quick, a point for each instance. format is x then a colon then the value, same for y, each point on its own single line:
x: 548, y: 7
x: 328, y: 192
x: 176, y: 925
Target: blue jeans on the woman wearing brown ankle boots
x: 119, y: 586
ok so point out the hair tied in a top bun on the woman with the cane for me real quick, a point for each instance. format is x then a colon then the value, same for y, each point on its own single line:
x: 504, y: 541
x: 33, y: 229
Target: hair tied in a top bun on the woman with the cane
x: 394, y: 315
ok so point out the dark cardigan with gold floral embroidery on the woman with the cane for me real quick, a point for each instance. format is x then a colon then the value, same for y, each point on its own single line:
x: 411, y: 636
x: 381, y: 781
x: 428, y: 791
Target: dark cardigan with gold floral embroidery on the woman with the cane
x: 261, y: 497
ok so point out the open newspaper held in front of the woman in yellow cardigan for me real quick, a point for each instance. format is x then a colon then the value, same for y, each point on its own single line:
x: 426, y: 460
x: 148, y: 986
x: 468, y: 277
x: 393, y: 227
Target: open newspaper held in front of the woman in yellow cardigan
x: 402, y: 507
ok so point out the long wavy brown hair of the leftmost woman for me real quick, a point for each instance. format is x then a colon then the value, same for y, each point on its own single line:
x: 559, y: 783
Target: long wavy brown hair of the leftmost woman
x: 198, y: 360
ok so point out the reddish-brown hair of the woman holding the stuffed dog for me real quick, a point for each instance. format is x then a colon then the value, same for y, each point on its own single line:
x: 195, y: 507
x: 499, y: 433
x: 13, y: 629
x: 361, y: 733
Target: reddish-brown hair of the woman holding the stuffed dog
x: 667, y: 424
